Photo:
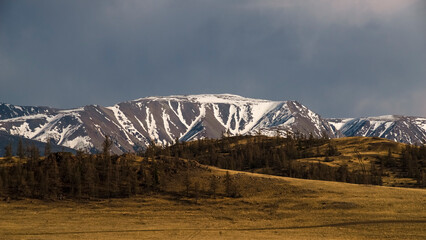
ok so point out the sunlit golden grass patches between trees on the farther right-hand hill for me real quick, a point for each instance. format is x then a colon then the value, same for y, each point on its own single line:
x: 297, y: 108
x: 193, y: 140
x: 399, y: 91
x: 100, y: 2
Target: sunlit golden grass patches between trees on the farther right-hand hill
x: 358, y: 154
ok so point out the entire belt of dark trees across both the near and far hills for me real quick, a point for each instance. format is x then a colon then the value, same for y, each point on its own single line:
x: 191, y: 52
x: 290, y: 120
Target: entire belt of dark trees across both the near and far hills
x: 105, y: 175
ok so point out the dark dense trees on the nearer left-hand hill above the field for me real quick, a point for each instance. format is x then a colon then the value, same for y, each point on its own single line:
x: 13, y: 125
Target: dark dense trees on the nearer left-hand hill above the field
x: 84, y: 176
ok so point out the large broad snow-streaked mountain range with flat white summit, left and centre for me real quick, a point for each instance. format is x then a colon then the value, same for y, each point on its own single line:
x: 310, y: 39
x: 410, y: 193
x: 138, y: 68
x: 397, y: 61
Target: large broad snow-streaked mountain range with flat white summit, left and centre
x: 162, y: 120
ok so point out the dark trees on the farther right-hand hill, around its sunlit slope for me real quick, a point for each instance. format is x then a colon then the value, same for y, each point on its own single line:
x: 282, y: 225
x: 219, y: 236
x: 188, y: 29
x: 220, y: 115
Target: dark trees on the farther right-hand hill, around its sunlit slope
x: 279, y: 156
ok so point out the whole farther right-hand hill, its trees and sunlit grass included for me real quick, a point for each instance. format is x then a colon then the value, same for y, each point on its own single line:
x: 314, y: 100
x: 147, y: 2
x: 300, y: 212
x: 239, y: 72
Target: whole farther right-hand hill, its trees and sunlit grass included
x: 353, y: 159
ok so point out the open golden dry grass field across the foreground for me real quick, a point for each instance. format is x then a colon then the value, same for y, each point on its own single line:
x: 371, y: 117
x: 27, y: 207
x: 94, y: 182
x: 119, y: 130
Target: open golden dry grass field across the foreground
x: 271, y: 207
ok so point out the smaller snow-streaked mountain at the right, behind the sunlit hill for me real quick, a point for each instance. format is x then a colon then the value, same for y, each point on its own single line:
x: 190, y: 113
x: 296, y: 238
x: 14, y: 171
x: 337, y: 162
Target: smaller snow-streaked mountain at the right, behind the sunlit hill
x: 394, y: 127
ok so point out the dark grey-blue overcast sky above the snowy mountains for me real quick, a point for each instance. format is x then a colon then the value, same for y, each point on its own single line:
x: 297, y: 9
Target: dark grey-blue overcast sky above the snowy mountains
x: 342, y: 58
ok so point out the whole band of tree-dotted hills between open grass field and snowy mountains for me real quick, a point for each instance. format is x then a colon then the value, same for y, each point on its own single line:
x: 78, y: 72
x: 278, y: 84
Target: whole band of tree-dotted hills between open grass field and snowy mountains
x: 354, y: 160
